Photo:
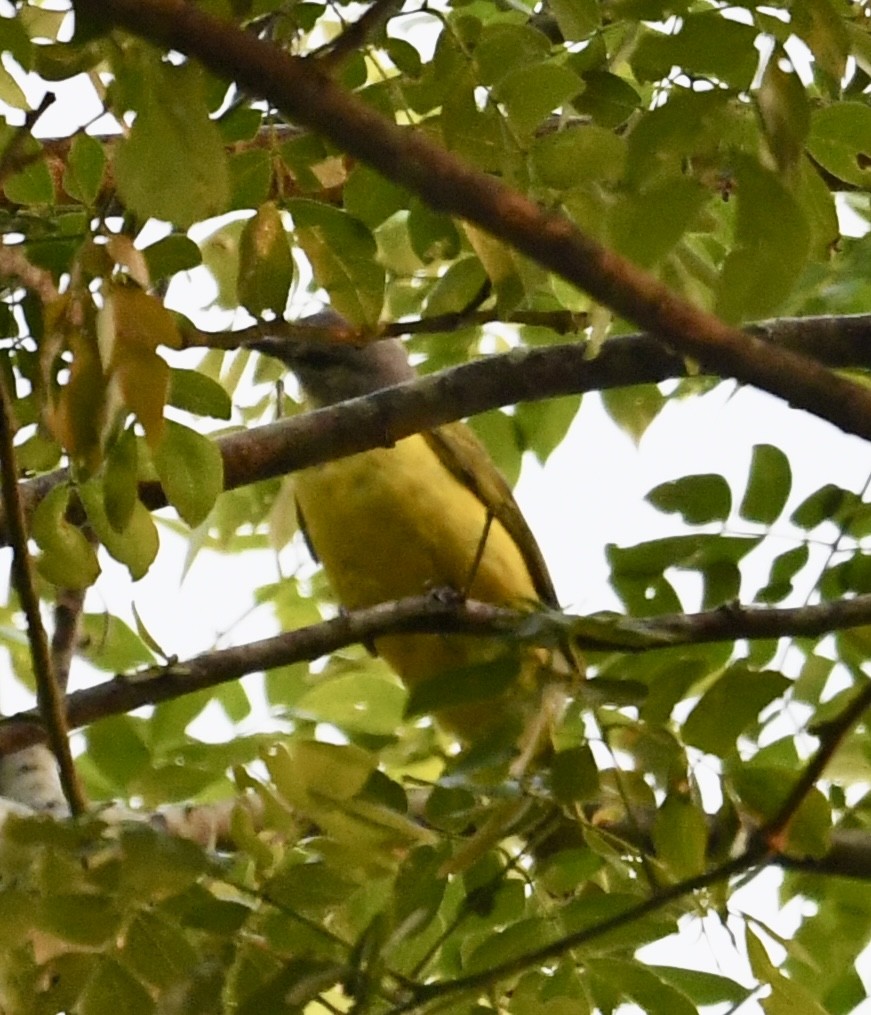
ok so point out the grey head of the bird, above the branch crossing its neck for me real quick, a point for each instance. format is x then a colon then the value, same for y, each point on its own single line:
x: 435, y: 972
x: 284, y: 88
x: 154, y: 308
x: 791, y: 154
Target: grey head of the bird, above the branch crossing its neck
x: 333, y: 372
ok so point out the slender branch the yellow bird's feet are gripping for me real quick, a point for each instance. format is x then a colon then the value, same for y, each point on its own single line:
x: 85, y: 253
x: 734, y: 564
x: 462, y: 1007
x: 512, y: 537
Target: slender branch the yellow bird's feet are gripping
x: 432, y: 615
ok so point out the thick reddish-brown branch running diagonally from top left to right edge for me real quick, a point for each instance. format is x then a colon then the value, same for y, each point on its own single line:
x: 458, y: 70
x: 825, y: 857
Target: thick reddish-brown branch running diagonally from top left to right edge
x: 409, y: 158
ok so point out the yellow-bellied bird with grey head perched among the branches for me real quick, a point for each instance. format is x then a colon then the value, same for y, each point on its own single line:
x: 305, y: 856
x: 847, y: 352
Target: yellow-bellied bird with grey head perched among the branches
x: 431, y: 512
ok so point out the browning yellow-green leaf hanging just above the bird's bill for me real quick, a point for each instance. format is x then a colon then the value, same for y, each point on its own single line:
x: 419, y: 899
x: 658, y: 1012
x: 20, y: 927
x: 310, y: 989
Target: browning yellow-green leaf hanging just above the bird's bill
x: 265, y: 264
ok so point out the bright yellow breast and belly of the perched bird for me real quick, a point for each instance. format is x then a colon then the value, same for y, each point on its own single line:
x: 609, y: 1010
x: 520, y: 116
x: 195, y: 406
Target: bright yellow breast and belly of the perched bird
x: 395, y: 522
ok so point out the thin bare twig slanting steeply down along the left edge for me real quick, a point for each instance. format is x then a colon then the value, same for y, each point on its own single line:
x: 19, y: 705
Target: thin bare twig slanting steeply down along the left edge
x: 49, y: 698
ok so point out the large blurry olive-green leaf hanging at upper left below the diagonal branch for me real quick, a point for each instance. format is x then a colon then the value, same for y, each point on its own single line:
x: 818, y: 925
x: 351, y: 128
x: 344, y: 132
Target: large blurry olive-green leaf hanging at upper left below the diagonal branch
x: 173, y: 165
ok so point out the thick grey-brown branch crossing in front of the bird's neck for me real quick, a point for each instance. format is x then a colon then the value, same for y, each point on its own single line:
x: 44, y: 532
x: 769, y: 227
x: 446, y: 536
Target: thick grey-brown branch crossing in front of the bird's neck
x: 520, y: 376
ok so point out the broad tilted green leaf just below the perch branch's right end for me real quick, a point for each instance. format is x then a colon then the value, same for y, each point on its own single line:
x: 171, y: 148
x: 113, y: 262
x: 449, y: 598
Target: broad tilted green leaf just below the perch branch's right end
x: 729, y: 707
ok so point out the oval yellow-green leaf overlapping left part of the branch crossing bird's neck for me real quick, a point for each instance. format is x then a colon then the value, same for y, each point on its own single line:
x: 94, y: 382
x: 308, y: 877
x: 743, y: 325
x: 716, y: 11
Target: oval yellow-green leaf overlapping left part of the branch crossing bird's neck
x: 191, y: 471
